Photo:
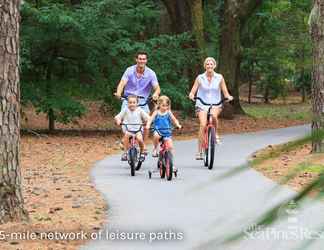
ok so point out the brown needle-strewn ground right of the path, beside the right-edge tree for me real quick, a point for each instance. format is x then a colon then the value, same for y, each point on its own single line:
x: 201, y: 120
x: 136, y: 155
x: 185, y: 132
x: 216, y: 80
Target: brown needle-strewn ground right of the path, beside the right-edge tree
x: 289, y: 165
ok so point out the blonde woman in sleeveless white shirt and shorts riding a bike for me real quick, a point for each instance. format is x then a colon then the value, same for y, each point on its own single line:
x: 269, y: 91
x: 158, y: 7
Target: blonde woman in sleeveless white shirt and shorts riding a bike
x: 208, y: 86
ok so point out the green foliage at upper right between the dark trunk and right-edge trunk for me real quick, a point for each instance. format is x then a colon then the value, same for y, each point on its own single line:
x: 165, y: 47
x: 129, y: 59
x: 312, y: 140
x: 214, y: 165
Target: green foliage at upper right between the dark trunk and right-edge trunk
x: 277, y: 47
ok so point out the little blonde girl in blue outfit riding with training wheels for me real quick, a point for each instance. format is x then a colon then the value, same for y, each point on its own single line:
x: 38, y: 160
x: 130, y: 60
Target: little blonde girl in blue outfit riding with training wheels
x: 162, y: 120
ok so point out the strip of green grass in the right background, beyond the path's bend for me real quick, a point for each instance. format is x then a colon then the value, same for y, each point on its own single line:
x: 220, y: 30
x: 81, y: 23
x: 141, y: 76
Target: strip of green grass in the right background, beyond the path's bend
x: 279, y: 111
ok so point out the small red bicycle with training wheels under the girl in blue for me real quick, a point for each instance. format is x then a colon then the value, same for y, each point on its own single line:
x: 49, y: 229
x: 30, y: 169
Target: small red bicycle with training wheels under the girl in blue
x: 165, y: 159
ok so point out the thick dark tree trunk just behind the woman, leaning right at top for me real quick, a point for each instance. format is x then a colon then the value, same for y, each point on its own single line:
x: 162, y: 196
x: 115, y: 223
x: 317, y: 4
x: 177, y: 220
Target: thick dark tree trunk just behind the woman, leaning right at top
x: 236, y: 13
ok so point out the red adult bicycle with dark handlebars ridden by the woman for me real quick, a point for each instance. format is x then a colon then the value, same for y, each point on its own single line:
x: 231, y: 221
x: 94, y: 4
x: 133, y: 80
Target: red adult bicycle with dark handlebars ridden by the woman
x: 209, y: 134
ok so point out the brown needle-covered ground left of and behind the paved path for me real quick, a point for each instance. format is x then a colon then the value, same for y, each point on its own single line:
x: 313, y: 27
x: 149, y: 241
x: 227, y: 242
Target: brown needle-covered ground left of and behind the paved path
x: 57, y: 188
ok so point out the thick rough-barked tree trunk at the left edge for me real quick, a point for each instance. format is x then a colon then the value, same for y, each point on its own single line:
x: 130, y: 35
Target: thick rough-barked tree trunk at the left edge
x: 11, y: 200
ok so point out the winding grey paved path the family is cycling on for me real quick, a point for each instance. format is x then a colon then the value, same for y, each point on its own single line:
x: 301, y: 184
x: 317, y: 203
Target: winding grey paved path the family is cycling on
x: 197, y: 207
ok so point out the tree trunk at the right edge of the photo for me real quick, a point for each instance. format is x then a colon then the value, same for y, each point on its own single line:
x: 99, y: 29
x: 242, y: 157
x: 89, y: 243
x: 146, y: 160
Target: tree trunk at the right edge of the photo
x: 317, y: 34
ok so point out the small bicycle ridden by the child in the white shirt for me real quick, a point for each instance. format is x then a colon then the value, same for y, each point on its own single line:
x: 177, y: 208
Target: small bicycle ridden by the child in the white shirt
x: 133, y: 153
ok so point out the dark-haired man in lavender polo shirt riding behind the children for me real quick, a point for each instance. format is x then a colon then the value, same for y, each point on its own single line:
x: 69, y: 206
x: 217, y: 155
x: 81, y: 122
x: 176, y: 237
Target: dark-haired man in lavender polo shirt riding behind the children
x: 139, y: 80
